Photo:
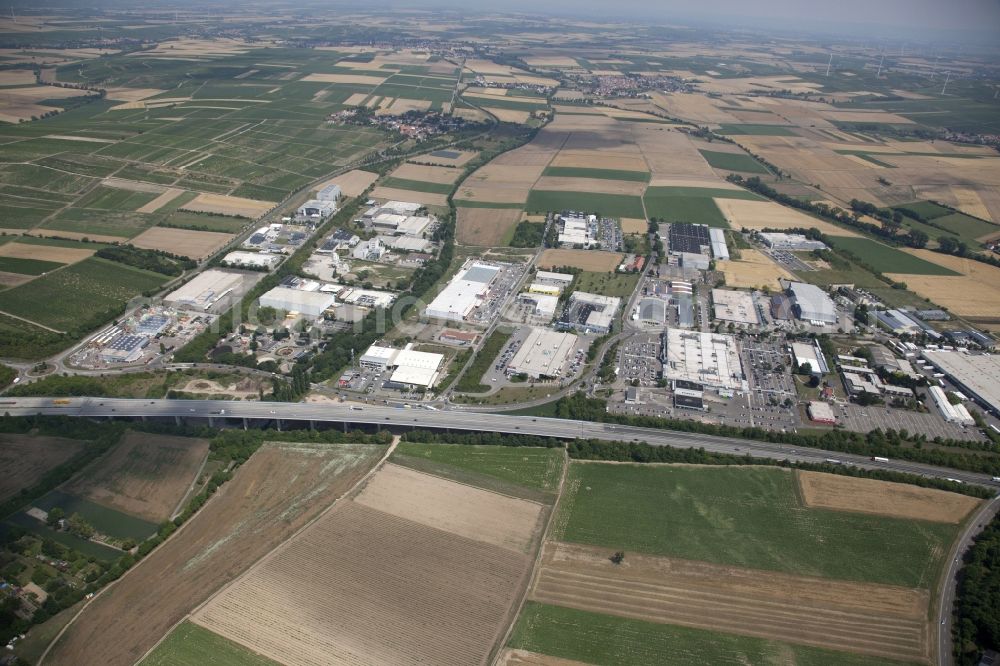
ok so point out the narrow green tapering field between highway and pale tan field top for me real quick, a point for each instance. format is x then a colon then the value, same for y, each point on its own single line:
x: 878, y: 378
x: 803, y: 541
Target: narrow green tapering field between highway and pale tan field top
x: 530, y: 467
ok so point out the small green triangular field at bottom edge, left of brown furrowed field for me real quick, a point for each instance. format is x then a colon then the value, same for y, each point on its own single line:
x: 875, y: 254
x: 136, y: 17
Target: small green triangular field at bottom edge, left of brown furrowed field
x: 190, y: 644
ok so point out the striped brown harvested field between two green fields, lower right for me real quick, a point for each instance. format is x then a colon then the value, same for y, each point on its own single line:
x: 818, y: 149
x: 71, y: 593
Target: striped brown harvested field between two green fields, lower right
x: 863, y: 618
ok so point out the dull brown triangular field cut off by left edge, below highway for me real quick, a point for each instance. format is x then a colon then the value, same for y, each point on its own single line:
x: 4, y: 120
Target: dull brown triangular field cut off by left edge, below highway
x: 25, y: 459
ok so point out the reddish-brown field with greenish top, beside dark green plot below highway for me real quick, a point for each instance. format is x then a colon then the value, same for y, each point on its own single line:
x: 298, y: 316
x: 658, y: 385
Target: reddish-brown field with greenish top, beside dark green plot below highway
x: 144, y: 475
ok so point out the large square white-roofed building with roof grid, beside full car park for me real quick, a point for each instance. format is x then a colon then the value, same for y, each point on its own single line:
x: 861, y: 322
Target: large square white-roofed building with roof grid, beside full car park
x: 708, y: 359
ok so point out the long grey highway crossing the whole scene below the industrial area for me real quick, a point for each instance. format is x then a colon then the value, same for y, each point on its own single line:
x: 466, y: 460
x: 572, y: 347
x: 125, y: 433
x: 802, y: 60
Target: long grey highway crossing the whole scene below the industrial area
x: 217, y: 410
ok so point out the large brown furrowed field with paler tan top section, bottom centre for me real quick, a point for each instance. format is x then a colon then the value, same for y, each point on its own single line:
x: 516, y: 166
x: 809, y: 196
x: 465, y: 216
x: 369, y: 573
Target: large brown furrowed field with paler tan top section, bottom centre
x: 444, y: 560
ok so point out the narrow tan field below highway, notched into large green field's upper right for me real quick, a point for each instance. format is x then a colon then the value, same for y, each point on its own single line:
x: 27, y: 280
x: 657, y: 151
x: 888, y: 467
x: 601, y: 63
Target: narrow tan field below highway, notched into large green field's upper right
x: 899, y: 500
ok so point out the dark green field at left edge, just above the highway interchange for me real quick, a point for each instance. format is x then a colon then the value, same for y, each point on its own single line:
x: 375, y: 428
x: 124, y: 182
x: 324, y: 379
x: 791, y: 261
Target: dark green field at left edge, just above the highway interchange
x: 83, y: 295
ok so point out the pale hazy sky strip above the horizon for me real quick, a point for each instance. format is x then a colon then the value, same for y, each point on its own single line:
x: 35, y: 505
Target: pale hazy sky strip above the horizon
x: 903, y: 15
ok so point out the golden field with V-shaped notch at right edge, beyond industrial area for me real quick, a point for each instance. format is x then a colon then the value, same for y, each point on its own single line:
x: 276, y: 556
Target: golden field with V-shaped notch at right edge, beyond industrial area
x: 975, y: 293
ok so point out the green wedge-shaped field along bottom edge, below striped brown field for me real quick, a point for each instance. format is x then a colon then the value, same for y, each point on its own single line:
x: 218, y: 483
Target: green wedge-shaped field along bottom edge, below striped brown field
x: 595, y: 638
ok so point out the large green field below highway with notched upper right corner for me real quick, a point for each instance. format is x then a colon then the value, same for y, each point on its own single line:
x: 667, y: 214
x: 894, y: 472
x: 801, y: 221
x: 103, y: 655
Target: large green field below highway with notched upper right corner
x: 743, y: 516
